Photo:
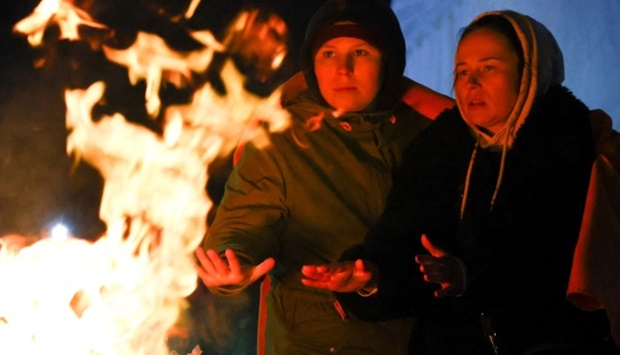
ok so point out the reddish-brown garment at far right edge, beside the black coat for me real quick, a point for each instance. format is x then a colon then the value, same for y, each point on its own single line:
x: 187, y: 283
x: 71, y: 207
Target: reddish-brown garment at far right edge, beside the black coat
x: 593, y: 280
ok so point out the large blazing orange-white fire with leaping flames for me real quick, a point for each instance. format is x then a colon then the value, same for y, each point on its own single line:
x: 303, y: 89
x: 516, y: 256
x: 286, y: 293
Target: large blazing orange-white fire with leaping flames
x: 122, y: 293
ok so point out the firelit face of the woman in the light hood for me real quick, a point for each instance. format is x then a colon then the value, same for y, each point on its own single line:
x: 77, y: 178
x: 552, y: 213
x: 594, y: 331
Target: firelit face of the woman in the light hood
x: 486, y: 81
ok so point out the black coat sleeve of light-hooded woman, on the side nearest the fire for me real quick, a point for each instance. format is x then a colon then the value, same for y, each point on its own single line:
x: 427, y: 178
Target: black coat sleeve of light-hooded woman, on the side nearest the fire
x: 395, y: 240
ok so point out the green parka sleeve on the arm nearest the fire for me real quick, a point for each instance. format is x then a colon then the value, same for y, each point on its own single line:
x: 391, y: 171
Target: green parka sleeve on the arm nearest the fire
x: 252, y: 212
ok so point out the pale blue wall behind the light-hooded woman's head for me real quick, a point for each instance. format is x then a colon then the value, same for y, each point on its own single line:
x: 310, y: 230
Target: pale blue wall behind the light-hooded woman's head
x: 588, y: 33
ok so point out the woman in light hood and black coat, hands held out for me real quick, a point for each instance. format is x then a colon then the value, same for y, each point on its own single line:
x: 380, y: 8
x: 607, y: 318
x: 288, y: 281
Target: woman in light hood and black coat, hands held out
x: 495, y: 190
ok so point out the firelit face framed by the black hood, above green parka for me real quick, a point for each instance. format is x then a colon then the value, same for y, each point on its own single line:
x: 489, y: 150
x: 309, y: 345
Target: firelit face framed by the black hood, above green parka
x: 348, y: 71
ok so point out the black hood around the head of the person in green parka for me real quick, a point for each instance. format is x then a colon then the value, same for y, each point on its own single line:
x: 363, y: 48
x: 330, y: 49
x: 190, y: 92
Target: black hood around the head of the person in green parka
x: 377, y: 18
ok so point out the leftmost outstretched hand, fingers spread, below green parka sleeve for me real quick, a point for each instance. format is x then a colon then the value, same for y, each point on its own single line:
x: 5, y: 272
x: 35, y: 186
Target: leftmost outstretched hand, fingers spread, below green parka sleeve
x: 216, y: 271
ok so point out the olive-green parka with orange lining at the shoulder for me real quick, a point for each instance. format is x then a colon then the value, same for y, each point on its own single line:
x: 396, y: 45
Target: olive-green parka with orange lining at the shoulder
x: 311, y: 194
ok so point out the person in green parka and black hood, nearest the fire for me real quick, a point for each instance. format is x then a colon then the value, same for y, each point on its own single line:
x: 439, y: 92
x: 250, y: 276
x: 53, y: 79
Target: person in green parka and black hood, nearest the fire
x: 317, y: 189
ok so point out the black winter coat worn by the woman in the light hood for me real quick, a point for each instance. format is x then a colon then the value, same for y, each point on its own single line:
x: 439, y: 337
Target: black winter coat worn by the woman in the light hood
x: 518, y: 254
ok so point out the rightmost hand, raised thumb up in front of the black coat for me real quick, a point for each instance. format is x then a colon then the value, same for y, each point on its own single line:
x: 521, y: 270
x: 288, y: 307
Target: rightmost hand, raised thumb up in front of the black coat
x: 443, y: 269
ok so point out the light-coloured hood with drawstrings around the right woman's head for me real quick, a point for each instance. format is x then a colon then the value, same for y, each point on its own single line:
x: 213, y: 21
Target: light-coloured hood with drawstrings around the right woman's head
x: 543, y: 68
